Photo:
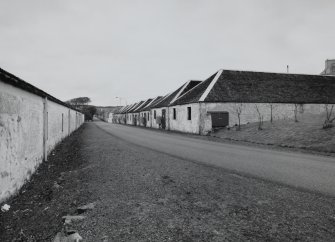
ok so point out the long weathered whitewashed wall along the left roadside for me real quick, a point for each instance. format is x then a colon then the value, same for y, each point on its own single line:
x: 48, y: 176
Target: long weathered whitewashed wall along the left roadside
x: 30, y: 128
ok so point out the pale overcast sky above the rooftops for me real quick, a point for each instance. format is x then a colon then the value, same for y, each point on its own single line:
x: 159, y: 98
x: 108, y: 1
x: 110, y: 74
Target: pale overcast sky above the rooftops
x: 126, y: 51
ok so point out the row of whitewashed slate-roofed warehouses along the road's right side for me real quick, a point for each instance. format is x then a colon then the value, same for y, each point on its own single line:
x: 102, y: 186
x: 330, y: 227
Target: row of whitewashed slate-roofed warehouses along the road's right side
x: 229, y: 98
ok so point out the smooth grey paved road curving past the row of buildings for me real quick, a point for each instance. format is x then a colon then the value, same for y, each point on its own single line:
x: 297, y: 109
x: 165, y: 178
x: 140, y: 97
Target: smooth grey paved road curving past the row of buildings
x: 312, y: 172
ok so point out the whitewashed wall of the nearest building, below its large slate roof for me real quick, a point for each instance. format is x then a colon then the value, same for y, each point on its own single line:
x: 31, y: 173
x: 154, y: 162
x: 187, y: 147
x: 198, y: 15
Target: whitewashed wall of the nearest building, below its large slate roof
x: 201, y: 122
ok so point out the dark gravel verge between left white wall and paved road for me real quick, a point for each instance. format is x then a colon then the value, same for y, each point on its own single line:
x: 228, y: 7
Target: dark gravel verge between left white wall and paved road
x: 143, y: 195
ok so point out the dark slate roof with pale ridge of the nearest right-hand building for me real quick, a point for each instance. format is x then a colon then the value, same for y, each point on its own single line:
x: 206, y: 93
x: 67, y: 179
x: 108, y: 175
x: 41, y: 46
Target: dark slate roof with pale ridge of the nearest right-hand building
x: 262, y: 87
